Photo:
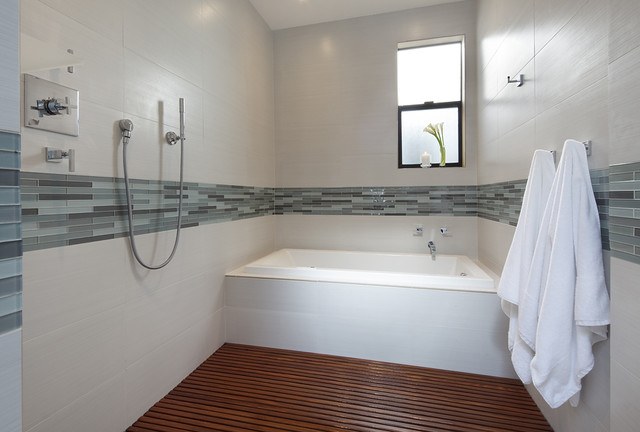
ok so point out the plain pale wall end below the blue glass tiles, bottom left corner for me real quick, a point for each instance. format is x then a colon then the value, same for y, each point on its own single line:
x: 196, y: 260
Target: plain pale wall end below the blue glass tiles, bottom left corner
x: 11, y: 381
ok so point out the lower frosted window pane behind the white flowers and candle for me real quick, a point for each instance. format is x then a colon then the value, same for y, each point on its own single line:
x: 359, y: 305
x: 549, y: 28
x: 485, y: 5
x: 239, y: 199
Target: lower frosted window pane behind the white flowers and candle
x: 415, y: 140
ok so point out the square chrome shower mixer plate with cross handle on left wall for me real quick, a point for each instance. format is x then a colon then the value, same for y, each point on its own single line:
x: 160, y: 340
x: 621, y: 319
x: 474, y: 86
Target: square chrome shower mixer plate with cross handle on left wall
x: 50, y: 106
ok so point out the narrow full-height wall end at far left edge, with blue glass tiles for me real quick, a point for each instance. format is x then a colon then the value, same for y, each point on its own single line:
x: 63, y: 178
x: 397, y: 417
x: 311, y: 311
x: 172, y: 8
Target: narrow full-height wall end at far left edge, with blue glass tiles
x: 10, y: 244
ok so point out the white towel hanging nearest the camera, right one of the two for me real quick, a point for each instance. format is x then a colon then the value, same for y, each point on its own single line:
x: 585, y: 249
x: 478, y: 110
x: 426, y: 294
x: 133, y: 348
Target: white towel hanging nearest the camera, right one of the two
x: 573, y: 297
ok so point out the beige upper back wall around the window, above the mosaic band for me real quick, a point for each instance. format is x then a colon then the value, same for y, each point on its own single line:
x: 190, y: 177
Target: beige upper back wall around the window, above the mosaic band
x: 336, y: 99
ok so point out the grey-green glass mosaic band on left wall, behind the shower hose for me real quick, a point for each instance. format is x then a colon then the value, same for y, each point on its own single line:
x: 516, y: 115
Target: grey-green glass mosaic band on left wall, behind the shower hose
x: 62, y: 210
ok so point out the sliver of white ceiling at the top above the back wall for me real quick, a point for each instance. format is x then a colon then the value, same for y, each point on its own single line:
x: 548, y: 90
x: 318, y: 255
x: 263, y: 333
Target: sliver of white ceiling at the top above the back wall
x: 280, y: 14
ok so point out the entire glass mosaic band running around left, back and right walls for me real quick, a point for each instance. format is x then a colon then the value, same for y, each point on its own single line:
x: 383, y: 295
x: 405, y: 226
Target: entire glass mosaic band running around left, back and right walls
x: 60, y: 210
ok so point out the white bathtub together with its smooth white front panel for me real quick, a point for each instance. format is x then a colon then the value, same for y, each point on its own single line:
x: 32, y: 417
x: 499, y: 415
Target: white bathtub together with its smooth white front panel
x: 401, y: 308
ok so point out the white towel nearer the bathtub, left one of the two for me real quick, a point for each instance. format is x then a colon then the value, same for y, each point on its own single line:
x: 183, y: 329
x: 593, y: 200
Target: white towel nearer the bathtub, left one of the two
x: 518, y: 263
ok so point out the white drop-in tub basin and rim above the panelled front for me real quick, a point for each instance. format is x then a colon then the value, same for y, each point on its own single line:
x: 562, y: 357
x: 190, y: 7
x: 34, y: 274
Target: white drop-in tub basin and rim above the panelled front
x: 453, y: 272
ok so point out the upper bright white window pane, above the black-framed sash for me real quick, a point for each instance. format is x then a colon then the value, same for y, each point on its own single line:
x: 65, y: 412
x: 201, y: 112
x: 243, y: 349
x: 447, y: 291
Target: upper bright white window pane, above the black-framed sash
x: 430, y: 74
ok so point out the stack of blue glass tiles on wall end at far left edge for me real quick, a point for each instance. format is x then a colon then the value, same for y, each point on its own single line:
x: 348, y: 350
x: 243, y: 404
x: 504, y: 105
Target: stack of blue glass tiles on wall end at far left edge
x: 10, y: 240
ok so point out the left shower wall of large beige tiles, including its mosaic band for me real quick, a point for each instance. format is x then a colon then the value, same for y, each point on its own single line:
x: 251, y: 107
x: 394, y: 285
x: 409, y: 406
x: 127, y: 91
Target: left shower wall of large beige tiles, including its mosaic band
x: 102, y: 339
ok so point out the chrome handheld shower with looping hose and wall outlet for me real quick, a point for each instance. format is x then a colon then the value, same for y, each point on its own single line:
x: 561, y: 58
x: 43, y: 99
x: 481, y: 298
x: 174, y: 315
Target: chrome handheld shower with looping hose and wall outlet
x: 126, y: 127
